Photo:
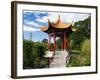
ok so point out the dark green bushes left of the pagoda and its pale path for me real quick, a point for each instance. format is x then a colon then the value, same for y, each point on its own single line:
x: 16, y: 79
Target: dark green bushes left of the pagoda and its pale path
x: 34, y: 54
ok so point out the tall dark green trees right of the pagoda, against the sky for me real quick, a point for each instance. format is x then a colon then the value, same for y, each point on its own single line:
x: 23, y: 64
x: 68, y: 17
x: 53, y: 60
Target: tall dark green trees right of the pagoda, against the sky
x: 83, y: 32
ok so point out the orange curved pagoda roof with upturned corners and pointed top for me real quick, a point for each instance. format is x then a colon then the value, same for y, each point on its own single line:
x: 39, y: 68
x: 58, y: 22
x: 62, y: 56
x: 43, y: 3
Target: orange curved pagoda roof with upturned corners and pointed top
x: 58, y: 25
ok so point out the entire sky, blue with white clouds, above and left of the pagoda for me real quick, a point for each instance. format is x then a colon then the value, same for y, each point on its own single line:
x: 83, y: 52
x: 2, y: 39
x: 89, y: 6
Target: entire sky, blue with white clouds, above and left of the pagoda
x: 33, y: 20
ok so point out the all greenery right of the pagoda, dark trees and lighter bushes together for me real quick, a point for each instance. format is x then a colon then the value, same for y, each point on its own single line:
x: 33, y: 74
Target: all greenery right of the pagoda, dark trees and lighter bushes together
x: 80, y: 40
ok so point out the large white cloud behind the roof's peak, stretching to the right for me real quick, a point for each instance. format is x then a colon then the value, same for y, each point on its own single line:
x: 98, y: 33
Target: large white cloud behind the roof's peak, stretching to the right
x: 67, y: 17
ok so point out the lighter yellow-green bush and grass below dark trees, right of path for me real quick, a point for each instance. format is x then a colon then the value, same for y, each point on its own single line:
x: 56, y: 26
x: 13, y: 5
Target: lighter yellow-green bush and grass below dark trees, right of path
x: 81, y: 58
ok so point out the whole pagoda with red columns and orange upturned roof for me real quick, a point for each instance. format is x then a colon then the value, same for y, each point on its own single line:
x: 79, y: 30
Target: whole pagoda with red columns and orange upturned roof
x: 61, y: 30
